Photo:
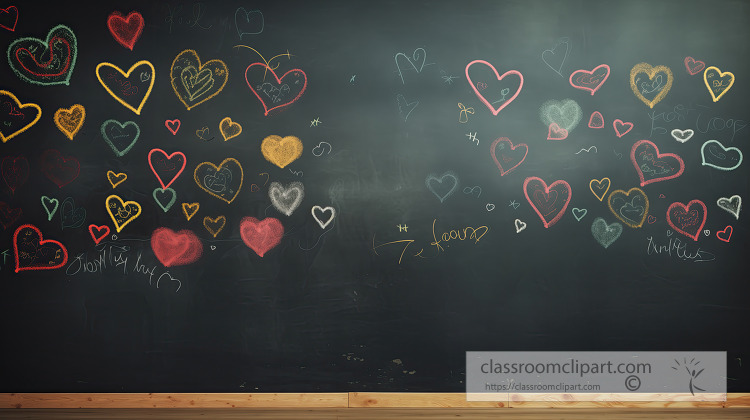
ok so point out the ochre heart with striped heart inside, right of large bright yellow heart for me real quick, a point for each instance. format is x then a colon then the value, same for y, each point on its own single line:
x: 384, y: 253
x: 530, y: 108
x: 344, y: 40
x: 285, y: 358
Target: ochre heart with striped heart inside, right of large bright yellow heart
x: 195, y: 83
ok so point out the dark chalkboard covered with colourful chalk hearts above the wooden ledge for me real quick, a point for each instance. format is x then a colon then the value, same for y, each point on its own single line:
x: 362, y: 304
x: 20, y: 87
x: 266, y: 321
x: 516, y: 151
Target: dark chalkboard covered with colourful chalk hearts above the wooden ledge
x: 349, y: 195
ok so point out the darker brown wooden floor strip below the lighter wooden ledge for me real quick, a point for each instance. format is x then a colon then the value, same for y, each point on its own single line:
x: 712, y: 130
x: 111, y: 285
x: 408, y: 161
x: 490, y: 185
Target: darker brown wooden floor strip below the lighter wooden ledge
x: 380, y: 413
